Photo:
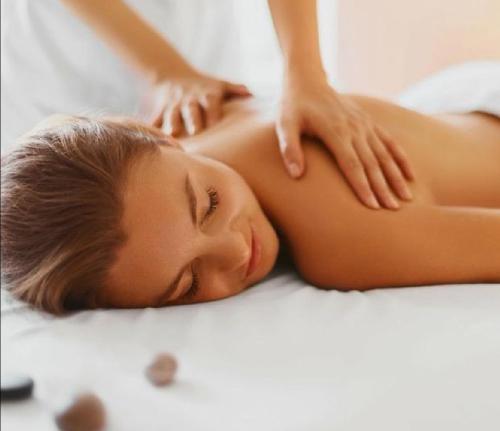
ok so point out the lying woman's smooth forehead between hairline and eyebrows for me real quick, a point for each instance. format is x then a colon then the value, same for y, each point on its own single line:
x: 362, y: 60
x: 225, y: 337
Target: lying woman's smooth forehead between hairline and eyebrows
x: 156, y: 221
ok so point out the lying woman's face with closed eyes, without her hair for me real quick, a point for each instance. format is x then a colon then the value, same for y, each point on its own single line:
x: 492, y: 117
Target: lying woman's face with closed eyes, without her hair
x: 191, y: 225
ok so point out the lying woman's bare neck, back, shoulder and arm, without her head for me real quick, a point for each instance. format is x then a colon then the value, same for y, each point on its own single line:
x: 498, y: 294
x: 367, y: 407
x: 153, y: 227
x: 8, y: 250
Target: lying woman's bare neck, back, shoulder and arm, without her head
x: 335, y: 240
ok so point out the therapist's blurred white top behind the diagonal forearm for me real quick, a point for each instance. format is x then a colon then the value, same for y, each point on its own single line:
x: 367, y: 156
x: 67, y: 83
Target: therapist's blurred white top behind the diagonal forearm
x: 52, y: 62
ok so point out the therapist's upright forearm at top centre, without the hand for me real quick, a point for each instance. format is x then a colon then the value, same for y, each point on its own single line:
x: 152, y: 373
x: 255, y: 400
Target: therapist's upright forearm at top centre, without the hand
x: 296, y: 25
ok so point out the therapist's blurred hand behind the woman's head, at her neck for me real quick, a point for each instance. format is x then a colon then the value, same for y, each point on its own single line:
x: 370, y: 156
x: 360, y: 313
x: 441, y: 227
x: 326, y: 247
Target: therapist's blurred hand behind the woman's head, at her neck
x: 192, y: 102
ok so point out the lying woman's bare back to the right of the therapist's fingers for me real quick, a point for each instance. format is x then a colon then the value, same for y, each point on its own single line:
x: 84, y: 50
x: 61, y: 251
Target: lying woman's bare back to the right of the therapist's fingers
x: 456, y: 155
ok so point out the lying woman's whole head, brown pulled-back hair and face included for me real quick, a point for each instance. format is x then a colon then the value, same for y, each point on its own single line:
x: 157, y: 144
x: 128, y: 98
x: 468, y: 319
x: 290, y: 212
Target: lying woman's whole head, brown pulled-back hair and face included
x: 95, y: 213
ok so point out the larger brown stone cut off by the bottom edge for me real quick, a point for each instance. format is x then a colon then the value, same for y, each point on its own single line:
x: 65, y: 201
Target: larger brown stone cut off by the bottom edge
x: 85, y: 413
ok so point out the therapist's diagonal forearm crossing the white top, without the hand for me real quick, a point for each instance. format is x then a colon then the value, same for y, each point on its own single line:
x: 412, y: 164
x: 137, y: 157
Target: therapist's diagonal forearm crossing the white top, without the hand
x: 132, y: 38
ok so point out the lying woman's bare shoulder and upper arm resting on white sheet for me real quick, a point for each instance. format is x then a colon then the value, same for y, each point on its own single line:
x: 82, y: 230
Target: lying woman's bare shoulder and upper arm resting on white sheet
x: 337, y: 242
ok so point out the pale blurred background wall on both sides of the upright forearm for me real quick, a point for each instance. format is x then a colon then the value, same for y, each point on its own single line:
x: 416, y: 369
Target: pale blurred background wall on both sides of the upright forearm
x: 377, y: 47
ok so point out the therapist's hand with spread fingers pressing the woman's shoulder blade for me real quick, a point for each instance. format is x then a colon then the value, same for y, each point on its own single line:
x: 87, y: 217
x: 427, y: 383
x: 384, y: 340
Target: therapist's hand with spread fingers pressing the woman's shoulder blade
x: 370, y: 160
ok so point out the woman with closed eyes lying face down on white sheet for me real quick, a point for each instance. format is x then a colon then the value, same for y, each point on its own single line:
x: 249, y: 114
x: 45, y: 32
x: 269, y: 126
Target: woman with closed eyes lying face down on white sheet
x: 111, y: 213
